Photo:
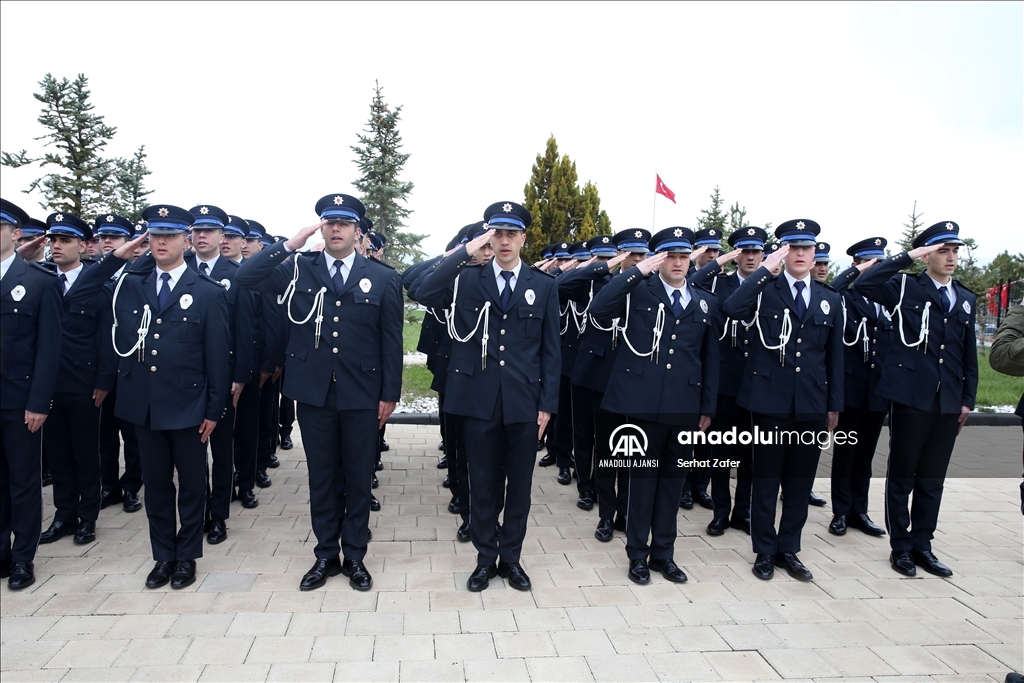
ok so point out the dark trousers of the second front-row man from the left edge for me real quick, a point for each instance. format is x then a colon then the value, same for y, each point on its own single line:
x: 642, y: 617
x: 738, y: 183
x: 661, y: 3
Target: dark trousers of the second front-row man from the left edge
x: 163, y: 453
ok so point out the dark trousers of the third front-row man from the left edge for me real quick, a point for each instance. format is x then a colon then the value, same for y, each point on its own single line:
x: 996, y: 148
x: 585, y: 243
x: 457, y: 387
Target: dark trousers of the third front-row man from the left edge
x: 345, y: 452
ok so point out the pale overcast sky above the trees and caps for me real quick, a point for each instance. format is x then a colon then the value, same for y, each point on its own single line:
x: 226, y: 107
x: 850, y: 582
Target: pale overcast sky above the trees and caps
x: 845, y: 114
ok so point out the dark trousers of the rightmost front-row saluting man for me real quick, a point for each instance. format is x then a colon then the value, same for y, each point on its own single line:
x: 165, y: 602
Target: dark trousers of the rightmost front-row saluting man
x: 920, y: 447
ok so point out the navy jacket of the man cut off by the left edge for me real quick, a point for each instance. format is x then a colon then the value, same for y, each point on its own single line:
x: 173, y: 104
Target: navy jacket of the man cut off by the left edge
x: 30, y: 328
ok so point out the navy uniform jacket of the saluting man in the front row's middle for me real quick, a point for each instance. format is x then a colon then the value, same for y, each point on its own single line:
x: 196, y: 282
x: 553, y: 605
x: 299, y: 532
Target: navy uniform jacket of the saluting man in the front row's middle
x: 524, y: 361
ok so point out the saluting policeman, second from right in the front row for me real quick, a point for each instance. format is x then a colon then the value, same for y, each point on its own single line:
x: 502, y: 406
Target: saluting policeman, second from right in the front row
x: 793, y: 381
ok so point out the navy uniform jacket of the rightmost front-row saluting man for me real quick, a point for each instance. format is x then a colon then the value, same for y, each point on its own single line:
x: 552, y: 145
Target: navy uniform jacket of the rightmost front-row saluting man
x: 950, y: 363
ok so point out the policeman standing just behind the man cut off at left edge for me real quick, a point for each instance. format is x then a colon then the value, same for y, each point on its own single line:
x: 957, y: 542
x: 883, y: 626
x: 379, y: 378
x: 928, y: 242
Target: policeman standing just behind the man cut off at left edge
x: 72, y: 442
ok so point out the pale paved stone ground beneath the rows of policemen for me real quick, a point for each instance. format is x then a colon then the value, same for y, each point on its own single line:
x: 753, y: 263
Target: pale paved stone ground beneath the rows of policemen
x: 90, y: 618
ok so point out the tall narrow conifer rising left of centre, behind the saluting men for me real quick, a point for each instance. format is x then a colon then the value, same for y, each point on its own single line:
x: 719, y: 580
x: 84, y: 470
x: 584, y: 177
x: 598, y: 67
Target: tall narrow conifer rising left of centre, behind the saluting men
x: 380, y: 161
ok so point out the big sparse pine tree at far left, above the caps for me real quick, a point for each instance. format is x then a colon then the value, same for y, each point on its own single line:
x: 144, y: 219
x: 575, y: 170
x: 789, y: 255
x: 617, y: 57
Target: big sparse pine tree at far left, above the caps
x: 84, y: 181
